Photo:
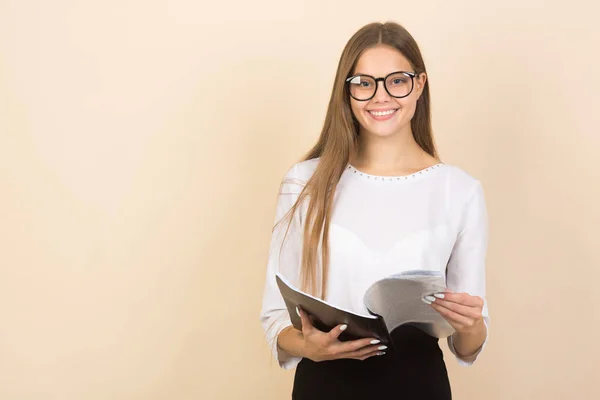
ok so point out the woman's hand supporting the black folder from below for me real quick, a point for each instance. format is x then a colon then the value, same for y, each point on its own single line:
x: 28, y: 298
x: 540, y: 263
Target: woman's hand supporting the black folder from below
x: 322, y: 346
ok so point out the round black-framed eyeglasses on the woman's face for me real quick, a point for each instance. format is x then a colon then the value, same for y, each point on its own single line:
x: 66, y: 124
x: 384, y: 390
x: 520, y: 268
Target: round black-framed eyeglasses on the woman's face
x: 398, y: 84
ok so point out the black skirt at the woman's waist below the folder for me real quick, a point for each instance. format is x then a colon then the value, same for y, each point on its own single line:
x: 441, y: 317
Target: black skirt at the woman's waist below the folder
x: 415, y: 369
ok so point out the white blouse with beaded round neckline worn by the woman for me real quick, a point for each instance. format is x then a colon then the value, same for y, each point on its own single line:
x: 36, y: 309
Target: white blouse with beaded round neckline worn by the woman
x: 434, y: 219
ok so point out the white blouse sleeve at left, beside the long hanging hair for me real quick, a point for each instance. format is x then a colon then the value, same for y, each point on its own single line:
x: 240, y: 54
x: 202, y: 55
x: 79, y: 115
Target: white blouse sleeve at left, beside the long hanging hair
x: 284, y: 257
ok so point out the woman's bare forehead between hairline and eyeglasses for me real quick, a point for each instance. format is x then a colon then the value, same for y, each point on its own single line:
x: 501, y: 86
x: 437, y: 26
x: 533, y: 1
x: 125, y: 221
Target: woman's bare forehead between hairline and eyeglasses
x: 380, y: 61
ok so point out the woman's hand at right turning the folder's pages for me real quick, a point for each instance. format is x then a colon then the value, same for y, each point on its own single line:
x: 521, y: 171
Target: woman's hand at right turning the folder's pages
x: 461, y: 310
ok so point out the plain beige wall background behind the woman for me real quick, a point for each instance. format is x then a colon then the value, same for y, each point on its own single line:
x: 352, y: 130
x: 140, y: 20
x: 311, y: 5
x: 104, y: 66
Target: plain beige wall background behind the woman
x: 141, y: 148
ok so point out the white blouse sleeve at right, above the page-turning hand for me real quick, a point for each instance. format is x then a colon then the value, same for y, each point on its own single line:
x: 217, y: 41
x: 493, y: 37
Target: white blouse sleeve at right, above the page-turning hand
x: 466, y: 266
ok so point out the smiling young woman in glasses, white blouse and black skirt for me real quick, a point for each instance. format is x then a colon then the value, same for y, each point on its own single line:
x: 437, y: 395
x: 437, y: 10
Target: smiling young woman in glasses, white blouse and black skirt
x: 372, y: 199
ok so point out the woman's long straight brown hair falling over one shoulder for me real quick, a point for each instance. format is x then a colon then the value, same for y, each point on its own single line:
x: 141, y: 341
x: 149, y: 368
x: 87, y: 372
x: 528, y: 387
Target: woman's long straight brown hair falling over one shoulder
x: 338, y: 140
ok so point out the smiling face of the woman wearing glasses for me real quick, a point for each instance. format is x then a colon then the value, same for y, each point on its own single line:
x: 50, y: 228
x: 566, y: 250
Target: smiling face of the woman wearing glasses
x: 384, y: 115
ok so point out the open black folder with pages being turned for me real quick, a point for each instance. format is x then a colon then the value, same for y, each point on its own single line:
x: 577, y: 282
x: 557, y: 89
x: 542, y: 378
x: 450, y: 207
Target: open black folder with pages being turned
x: 392, y: 301
